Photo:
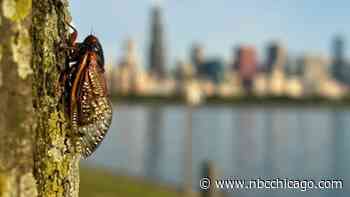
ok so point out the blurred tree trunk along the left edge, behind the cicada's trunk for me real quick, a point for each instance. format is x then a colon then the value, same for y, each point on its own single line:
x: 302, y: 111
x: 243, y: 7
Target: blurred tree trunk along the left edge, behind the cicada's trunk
x: 16, y: 134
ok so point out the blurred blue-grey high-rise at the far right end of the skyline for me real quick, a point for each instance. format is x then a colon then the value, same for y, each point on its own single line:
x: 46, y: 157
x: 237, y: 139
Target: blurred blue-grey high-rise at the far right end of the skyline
x: 338, y: 50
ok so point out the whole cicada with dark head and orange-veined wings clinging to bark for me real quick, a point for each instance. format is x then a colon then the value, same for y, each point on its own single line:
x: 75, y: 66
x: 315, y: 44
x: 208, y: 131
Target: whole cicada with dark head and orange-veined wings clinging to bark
x: 85, y: 93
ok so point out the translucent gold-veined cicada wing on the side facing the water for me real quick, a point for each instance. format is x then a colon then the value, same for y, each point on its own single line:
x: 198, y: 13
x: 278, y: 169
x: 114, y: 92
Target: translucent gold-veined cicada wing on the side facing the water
x: 95, y: 109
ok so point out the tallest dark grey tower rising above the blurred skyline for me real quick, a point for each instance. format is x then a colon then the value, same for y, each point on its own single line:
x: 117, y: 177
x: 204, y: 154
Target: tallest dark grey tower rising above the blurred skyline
x: 157, y: 53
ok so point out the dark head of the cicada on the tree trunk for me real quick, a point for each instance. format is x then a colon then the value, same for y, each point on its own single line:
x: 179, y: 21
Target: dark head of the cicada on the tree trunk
x: 92, y: 44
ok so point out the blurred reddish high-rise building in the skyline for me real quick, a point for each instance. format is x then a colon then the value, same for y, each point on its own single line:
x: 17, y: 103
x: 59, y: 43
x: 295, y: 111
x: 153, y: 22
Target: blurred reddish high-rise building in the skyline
x: 246, y: 64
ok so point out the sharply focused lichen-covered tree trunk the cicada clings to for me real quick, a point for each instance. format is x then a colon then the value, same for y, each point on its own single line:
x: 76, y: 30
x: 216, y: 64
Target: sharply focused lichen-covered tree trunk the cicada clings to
x: 56, y: 163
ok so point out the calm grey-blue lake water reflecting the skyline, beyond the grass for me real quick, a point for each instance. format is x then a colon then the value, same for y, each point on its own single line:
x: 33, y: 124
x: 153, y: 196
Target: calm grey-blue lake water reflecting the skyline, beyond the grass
x: 242, y: 141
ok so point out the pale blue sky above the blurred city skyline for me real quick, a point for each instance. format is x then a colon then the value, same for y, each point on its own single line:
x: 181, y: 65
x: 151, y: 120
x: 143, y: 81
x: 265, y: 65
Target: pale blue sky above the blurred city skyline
x: 302, y: 26
